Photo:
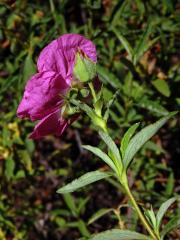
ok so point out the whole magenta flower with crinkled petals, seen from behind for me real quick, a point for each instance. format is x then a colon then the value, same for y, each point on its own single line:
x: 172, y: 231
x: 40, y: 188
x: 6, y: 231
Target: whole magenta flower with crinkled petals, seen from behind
x: 44, y: 92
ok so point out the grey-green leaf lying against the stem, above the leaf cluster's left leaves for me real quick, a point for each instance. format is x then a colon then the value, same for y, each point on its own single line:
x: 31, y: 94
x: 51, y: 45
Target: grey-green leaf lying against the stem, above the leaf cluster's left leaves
x: 111, y: 145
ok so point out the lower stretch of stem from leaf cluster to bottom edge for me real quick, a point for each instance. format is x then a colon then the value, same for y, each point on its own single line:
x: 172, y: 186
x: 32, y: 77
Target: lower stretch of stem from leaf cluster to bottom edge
x: 140, y: 214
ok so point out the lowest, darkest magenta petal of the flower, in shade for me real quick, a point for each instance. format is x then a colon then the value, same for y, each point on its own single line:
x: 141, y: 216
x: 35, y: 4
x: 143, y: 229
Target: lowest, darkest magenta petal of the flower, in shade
x: 51, y: 124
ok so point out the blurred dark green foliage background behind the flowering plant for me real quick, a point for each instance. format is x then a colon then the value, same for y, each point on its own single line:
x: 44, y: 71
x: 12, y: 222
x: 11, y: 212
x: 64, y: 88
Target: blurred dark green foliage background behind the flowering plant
x: 137, y: 44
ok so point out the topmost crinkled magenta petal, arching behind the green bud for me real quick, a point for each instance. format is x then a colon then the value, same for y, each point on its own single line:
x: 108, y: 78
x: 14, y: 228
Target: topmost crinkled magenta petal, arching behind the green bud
x: 59, y: 55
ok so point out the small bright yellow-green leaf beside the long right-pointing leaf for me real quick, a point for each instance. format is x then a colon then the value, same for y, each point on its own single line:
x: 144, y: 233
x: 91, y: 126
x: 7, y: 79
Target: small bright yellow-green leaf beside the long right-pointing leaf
x: 126, y: 138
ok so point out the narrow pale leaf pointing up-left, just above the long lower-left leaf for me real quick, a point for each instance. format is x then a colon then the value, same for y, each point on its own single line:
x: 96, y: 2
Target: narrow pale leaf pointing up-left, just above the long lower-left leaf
x: 101, y: 155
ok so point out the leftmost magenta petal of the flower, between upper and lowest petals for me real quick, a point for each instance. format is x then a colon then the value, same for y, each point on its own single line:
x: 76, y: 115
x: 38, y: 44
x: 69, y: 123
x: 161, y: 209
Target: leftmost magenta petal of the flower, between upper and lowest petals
x: 42, y: 95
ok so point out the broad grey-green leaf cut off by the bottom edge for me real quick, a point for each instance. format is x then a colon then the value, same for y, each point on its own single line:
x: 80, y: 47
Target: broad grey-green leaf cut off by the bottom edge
x: 117, y: 234
